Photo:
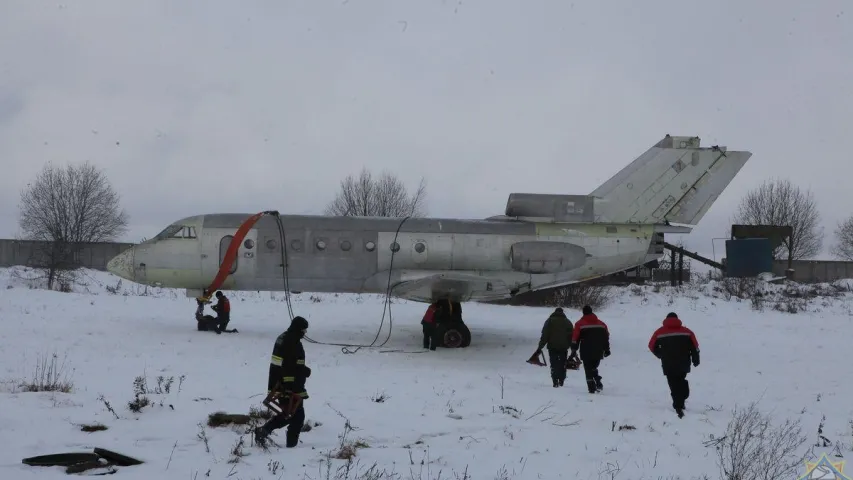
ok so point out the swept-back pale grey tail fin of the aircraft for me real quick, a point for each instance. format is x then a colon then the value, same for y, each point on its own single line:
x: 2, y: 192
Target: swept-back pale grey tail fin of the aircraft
x: 676, y: 180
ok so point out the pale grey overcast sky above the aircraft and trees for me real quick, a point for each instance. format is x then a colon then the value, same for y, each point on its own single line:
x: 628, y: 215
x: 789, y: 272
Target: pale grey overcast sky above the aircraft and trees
x: 214, y: 106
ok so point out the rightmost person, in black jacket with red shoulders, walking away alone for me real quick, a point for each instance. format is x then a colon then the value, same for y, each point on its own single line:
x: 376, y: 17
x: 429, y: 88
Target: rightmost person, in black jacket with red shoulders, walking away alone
x: 676, y: 347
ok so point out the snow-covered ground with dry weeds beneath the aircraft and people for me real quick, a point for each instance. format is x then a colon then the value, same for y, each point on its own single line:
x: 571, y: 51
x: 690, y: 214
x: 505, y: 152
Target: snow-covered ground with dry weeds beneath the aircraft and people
x: 480, y: 409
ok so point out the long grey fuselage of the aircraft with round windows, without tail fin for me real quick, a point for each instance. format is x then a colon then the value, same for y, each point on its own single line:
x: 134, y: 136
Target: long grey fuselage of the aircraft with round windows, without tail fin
x: 355, y: 254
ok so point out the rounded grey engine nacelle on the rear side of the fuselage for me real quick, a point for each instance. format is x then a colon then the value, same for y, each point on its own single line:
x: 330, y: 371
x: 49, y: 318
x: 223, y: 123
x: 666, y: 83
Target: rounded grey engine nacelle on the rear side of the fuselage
x: 546, y: 257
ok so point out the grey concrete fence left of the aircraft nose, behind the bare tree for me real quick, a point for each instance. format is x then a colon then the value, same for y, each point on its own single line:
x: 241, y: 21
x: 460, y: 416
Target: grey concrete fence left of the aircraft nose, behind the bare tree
x: 25, y: 252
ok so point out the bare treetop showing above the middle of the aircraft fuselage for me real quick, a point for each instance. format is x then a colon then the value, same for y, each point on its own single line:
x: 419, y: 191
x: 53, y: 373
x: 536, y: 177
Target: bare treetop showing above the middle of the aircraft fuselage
x: 383, y: 197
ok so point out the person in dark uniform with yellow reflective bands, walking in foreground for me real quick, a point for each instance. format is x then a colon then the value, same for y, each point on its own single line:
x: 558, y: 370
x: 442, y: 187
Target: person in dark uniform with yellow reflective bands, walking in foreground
x: 287, y: 376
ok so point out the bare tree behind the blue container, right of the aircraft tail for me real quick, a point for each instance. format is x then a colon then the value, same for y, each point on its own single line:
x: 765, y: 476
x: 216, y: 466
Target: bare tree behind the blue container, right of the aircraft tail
x: 781, y: 203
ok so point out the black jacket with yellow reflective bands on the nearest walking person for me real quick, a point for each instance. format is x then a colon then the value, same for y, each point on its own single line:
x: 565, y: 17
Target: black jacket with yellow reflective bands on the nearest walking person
x: 287, y: 364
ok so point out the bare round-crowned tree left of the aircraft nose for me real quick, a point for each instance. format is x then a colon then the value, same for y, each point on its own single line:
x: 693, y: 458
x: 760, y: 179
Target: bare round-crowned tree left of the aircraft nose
x: 65, y: 208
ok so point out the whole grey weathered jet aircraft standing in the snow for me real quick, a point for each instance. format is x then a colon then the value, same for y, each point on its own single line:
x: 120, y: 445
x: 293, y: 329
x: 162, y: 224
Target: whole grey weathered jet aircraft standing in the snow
x: 541, y: 241
